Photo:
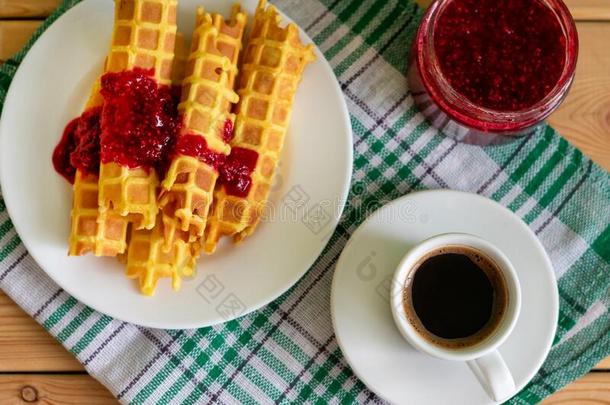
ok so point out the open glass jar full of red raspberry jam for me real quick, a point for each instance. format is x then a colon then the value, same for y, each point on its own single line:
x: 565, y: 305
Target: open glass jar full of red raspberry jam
x: 484, y: 69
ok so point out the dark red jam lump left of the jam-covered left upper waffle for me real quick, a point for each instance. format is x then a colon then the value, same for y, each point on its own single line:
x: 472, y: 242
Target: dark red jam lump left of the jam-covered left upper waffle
x: 79, y: 147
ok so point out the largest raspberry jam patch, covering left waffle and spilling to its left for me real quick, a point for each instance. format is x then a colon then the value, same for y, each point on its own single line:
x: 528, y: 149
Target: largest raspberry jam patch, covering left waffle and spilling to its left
x: 136, y: 127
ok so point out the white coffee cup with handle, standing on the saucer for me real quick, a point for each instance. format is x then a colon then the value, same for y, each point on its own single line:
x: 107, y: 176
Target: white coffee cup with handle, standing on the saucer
x: 483, y: 357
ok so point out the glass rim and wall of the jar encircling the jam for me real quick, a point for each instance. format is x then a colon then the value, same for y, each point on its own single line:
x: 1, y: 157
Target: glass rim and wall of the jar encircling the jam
x: 475, y: 116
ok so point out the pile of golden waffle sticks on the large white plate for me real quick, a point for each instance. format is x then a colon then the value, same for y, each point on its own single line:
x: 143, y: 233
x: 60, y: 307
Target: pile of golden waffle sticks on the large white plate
x: 172, y: 221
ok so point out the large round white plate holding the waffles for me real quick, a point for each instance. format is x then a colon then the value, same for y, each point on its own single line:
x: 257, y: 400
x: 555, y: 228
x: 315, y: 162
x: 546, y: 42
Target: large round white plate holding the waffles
x: 51, y: 87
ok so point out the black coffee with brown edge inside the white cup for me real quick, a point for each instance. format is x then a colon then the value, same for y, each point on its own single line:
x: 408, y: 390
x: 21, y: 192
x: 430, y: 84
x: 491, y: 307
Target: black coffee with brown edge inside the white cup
x: 455, y: 296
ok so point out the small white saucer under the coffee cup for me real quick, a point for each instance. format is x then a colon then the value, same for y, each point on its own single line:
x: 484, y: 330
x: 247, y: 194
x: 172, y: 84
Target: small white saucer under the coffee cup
x: 363, y: 323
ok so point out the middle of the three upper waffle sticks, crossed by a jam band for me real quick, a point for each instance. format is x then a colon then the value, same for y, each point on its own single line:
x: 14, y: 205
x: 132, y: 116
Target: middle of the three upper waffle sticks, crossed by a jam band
x: 207, y: 95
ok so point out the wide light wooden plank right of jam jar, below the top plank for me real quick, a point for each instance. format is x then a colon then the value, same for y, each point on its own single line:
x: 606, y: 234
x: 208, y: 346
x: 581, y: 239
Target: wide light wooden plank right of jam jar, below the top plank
x: 584, y: 117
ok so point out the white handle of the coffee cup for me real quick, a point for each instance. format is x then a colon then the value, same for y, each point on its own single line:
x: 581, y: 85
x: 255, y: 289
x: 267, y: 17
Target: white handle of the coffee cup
x: 494, y: 375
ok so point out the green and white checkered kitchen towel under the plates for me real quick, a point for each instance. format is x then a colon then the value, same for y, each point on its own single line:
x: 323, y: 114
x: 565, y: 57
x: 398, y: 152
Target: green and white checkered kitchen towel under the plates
x: 287, y: 351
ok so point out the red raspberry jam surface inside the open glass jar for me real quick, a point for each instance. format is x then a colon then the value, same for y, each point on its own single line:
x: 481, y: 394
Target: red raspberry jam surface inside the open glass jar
x: 510, y: 77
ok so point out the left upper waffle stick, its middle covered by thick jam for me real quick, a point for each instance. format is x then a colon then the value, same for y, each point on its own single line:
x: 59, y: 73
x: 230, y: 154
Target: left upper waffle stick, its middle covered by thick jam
x: 144, y: 37
